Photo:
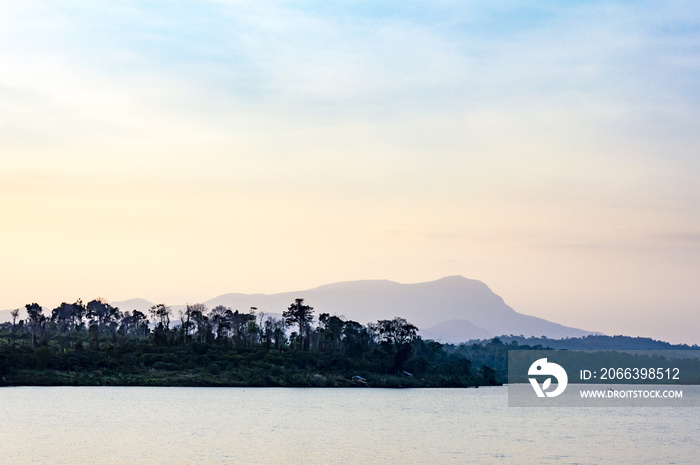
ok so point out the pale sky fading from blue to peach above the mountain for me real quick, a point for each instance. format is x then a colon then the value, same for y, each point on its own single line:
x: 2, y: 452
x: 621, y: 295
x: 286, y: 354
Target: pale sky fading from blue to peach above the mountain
x: 176, y: 151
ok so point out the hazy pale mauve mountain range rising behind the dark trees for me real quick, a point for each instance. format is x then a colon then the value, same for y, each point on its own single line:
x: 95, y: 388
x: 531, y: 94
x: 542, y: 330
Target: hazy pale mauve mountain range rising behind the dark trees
x: 451, y: 309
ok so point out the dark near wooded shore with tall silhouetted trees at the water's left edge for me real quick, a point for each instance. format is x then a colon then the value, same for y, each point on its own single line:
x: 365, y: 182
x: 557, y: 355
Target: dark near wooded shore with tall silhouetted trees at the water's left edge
x: 97, y: 343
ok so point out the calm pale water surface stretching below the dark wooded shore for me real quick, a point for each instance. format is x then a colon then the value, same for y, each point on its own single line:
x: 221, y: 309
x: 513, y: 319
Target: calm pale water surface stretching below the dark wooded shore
x: 110, y: 425
